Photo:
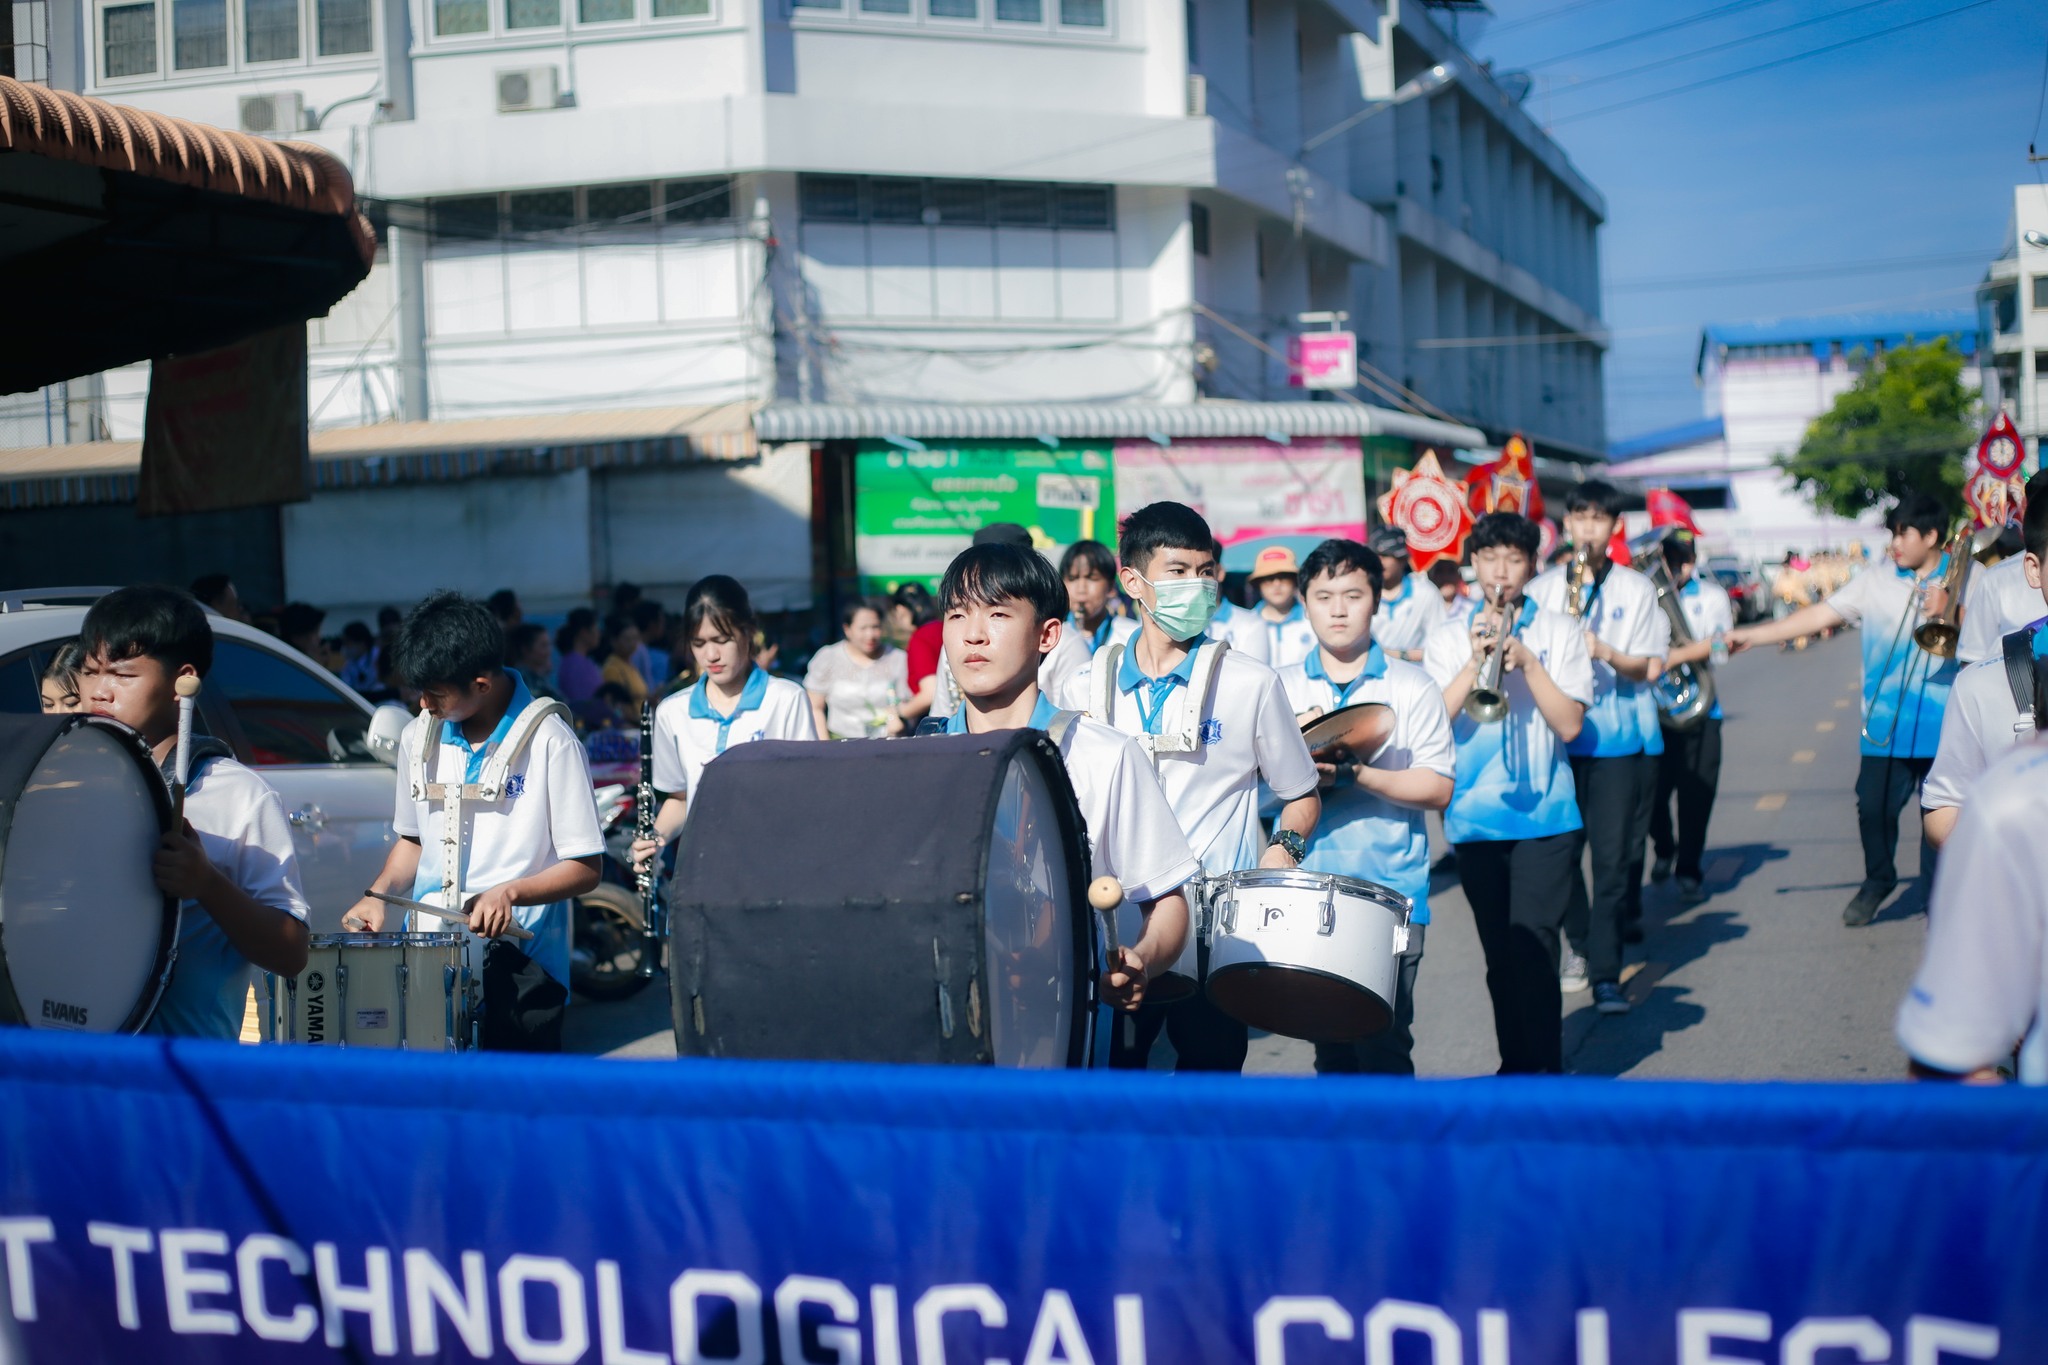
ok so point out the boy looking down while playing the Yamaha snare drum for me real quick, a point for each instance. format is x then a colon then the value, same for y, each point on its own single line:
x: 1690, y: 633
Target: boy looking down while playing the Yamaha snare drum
x: 525, y: 854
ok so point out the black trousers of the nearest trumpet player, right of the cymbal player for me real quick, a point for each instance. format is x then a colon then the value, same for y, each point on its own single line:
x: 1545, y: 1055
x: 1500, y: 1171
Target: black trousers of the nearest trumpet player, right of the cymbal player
x: 1519, y: 891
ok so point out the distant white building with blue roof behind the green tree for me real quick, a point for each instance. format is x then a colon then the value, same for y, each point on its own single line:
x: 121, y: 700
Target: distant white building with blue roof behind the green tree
x: 1760, y: 386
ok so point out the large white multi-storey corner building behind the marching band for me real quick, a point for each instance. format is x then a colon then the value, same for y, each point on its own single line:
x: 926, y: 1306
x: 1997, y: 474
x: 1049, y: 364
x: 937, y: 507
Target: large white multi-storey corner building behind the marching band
x: 697, y: 206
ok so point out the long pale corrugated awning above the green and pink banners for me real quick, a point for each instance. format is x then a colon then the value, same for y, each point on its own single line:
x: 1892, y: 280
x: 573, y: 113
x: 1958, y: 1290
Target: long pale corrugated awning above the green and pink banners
x: 1101, y: 423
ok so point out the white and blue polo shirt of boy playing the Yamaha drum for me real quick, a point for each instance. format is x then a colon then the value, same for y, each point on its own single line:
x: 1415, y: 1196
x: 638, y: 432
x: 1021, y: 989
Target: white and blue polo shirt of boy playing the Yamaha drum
x: 548, y: 816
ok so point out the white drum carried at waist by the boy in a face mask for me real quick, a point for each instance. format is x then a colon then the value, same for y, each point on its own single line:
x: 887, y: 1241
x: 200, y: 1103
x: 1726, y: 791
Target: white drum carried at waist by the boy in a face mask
x: 1308, y: 955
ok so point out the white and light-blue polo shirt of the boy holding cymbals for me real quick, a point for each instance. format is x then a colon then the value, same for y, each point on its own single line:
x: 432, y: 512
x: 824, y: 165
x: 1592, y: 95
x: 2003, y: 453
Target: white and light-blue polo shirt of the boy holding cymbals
x: 1361, y: 834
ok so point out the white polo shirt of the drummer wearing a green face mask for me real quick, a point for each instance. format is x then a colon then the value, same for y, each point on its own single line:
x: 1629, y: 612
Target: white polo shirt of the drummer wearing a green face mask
x: 1246, y: 734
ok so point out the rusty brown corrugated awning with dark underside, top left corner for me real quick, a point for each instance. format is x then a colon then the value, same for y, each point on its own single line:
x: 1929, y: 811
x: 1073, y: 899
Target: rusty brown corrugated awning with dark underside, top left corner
x: 130, y: 236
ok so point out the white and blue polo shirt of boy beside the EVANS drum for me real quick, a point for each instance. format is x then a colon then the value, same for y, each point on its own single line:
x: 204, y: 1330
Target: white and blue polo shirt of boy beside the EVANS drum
x: 243, y: 826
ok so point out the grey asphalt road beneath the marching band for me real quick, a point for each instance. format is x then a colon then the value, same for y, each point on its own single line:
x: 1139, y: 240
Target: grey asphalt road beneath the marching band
x: 1762, y: 981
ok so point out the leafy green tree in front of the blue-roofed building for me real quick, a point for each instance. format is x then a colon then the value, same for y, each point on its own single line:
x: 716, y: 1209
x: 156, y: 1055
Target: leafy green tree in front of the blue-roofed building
x: 1906, y: 425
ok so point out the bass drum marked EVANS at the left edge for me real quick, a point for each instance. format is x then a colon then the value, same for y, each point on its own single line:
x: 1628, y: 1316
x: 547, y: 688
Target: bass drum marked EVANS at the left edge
x: 85, y: 934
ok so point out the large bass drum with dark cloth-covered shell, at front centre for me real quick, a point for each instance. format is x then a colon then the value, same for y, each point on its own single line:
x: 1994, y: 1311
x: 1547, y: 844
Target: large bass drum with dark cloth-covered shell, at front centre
x: 886, y: 901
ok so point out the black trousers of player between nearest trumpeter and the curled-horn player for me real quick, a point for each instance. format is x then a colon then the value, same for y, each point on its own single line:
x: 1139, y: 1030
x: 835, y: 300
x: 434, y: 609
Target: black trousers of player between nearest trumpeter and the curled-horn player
x: 1615, y: 801
